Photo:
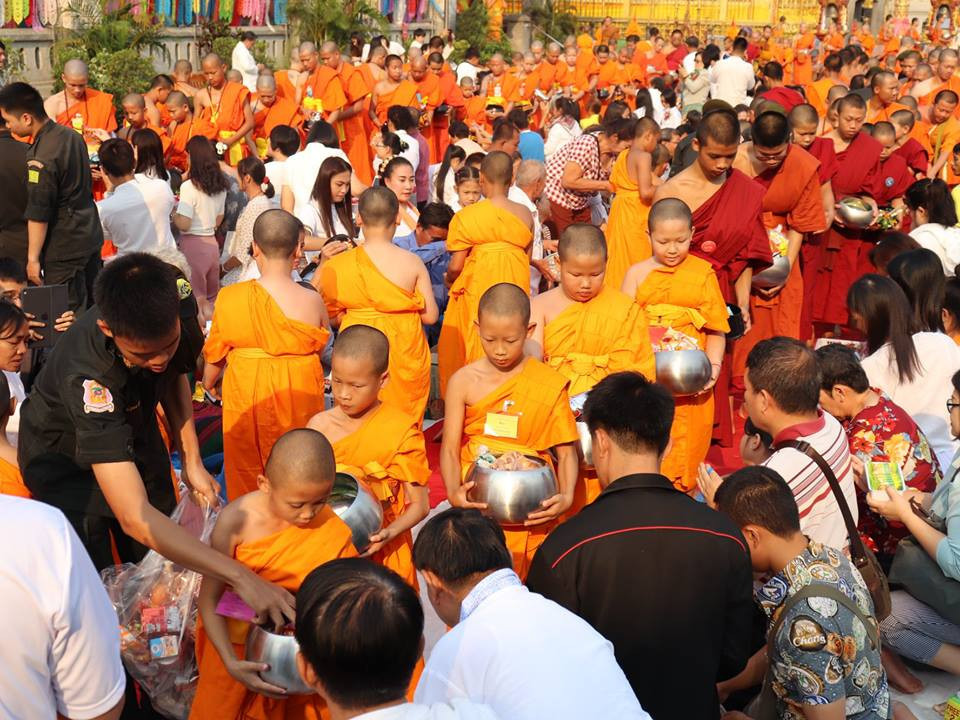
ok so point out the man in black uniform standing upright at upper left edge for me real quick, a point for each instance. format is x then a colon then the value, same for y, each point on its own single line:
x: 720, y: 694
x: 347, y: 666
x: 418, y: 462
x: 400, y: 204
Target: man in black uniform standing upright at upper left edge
x: 63, y: 227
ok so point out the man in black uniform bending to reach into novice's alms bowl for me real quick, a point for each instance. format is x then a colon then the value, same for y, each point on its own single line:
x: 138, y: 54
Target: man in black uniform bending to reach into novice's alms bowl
x: 89, y: 439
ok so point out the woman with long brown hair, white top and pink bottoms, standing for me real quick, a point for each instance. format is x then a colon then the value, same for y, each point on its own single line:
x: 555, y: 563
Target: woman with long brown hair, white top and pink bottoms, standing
x: 202, y: 200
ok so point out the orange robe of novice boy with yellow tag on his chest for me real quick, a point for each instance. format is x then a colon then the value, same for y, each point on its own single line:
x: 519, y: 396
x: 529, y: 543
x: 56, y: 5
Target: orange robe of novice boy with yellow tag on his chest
x: 539, y: 397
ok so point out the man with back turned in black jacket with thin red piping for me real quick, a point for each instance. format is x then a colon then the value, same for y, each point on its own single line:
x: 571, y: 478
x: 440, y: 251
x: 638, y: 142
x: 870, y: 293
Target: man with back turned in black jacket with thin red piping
x: 689, y: 569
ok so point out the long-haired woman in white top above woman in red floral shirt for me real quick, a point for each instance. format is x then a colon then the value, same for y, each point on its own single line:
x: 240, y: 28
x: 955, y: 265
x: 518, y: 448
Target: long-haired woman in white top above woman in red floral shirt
x: 912, y: 367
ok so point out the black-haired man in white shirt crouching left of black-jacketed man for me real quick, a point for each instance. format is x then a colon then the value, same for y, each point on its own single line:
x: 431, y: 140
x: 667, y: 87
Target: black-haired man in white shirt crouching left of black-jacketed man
x: 525, y: 656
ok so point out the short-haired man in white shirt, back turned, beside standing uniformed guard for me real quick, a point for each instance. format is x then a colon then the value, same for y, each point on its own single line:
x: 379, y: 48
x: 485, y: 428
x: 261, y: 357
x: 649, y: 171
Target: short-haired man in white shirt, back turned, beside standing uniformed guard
x: 135, y: 213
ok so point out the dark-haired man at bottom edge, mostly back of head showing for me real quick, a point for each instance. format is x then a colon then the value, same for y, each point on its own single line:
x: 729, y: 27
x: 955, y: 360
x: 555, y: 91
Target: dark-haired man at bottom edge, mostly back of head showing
x: 362, y: 668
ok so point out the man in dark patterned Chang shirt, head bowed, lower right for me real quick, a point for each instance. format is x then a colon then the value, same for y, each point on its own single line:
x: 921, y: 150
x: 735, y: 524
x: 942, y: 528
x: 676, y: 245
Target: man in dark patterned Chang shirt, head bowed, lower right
x: 815, y: 594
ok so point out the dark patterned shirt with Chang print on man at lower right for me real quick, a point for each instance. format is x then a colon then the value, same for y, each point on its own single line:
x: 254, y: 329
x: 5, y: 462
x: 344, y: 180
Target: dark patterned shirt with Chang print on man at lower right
x: 822, y: 653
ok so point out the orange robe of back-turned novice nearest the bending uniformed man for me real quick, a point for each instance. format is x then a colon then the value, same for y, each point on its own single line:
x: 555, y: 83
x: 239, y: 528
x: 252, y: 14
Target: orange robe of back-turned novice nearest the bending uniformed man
x: 273, y: 380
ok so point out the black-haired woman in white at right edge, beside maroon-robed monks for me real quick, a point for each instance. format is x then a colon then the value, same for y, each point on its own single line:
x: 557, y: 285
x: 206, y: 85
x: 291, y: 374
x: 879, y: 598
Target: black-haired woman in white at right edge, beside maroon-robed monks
x: 933, y: 217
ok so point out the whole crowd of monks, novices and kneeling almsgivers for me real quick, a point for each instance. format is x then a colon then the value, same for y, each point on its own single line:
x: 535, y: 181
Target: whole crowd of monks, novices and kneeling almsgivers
x: 316, y: 266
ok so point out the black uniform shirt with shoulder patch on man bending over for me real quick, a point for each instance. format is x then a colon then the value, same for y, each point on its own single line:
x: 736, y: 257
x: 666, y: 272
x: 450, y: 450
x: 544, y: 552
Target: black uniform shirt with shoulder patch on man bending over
x: 87, y: 407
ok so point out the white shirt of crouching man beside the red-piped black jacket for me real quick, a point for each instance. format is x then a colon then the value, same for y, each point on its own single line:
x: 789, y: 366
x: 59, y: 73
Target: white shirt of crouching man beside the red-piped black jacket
x: 528, y: 658
